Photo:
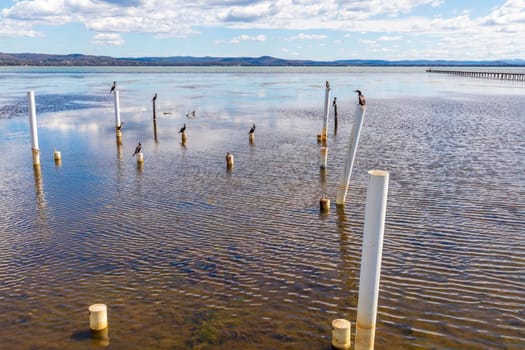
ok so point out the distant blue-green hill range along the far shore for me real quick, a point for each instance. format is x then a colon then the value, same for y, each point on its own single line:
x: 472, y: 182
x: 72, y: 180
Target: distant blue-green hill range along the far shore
x: 34, y: 59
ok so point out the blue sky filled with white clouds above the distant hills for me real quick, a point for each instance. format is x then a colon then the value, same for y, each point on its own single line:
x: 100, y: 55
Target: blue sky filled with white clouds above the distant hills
x: 292, y: 29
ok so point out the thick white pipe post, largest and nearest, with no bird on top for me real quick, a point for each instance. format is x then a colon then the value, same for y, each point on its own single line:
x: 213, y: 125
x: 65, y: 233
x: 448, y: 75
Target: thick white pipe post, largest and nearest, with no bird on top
x: 371, y: 255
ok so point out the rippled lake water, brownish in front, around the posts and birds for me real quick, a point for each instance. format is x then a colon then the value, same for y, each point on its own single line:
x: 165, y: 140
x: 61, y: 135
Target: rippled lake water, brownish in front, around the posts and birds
x: 190, y: 255
